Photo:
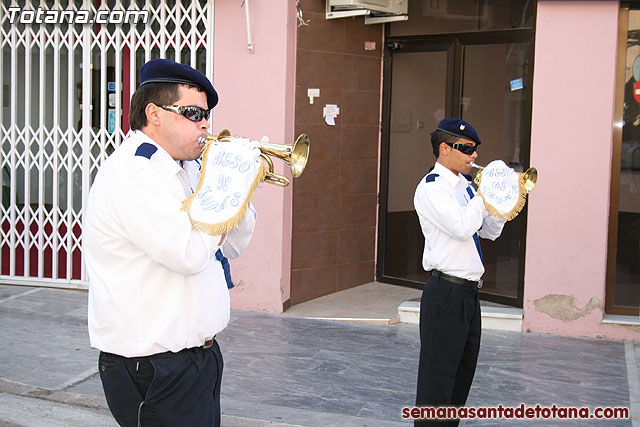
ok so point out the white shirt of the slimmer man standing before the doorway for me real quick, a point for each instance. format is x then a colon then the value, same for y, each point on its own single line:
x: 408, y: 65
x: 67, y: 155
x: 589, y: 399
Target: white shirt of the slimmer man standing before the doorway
x: 449, y: 220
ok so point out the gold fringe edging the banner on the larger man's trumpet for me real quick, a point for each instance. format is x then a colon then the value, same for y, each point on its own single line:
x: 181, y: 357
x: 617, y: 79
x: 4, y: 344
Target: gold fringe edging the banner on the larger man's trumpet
x: 228, y: 225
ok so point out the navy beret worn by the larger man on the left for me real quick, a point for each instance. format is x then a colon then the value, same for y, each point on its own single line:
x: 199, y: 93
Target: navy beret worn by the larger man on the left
x: 168, y: 71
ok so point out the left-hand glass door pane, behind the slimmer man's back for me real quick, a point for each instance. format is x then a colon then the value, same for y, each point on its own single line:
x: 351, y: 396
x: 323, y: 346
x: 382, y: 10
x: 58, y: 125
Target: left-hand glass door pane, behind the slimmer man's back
x: 418, y: 97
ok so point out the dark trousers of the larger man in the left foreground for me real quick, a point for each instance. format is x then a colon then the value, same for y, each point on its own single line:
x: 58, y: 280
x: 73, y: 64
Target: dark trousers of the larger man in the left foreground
x: 166, y: 389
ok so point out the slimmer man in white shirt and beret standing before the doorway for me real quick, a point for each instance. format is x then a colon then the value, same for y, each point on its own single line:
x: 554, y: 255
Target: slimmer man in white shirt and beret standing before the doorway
x: 452, y: 220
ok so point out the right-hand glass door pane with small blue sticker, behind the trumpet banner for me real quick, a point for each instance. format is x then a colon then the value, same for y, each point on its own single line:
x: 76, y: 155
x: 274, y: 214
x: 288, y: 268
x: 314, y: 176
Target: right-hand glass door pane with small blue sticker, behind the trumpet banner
x: 495, y: 99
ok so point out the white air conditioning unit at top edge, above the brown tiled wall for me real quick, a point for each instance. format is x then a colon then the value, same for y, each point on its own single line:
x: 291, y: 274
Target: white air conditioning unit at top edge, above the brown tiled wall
x: 374, y: 11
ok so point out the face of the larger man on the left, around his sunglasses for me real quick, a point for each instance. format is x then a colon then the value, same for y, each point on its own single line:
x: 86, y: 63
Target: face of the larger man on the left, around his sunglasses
x: 181, y: 134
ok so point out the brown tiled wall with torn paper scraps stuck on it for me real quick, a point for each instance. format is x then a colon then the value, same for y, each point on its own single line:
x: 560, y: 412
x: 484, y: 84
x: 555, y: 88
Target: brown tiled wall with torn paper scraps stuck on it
x: 335, y: 200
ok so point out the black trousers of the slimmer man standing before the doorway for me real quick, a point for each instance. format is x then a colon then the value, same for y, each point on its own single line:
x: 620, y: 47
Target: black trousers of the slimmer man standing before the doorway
x: 450, y: 326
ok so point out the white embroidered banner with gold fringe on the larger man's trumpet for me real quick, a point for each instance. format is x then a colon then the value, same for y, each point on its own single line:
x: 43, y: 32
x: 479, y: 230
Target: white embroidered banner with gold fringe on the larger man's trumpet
x: 231, y: 171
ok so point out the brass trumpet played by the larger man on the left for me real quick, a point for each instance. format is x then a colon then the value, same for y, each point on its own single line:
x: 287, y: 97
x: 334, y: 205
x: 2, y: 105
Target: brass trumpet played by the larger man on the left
x: 296, y: 156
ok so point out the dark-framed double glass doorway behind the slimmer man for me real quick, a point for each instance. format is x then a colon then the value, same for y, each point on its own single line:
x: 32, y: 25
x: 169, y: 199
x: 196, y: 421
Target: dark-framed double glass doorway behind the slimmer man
x: 484, y: 78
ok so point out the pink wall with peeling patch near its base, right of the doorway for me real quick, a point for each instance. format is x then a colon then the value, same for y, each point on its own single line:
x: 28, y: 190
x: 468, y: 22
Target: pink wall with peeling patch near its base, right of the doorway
x: 571, y: 145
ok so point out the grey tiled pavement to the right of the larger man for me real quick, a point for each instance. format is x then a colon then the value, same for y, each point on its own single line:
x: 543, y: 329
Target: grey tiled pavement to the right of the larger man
x: 369, y: 371
